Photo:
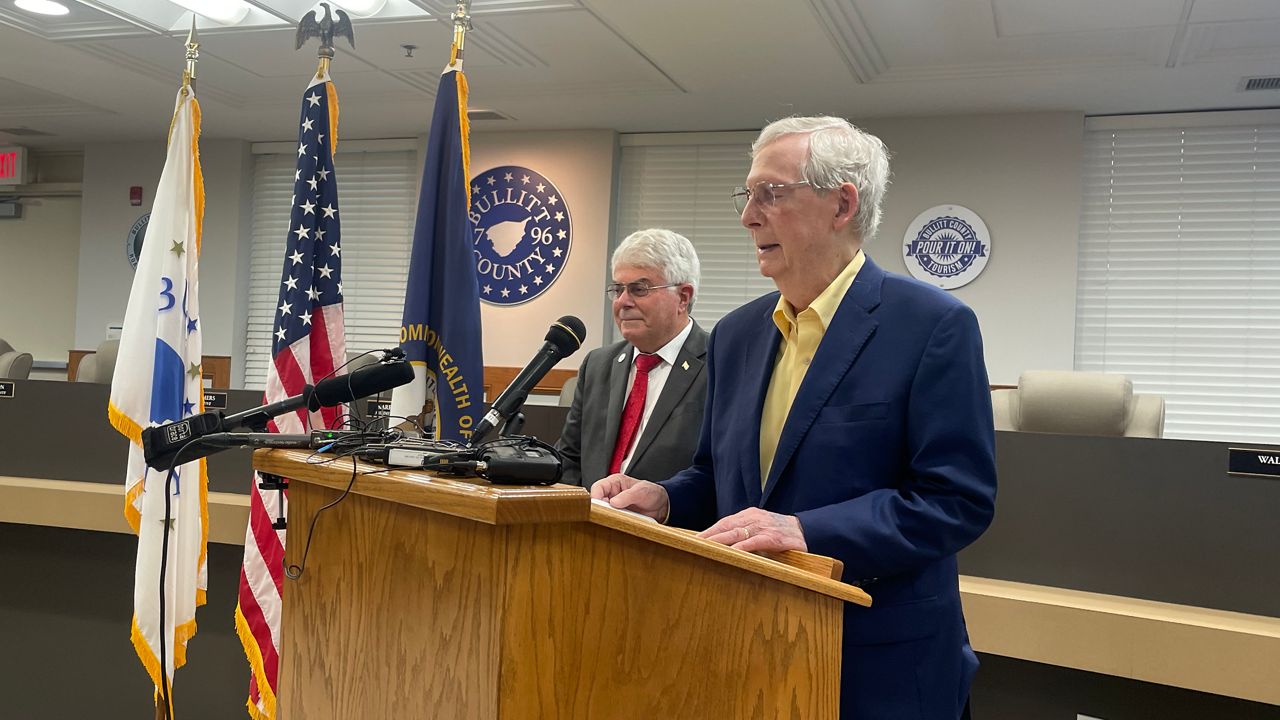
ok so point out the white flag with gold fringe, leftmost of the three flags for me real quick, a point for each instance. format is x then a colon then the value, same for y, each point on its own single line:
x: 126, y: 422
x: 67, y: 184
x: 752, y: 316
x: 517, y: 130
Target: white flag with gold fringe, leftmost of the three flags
x: 158, y: 380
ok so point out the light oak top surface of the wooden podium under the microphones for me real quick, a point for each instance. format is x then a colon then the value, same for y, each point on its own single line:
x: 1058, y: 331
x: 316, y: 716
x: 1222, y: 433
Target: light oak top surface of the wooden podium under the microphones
x: 509, y: 505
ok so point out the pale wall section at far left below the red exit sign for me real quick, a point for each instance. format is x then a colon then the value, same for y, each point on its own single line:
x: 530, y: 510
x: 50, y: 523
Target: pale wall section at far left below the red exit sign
x: 38, y: 277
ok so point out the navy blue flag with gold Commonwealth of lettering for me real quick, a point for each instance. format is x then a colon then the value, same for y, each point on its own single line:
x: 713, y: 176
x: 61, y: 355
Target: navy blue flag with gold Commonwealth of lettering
x: 441, y: 330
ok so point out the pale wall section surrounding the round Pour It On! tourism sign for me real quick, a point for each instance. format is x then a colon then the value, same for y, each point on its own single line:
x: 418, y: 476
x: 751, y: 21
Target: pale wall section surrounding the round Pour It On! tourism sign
x: 1021, y: 174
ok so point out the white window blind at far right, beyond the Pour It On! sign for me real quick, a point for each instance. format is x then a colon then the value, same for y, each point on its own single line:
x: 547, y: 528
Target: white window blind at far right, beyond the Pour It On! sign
x: 1180, y: 274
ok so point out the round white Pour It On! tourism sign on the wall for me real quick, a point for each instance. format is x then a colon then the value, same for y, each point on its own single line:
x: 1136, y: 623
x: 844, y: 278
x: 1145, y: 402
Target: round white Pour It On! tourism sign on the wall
x: 947, y: 247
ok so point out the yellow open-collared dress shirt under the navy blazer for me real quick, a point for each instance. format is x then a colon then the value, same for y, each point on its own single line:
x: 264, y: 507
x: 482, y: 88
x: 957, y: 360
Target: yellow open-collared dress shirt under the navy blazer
x: 801, y: 338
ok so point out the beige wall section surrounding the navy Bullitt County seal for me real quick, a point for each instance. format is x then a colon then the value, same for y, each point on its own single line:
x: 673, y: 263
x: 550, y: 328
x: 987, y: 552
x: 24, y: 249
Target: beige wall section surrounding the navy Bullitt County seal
x: 580, y: 163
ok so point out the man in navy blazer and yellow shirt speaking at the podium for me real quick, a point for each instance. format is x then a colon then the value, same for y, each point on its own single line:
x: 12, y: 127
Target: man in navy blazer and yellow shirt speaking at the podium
x: 849, y: 416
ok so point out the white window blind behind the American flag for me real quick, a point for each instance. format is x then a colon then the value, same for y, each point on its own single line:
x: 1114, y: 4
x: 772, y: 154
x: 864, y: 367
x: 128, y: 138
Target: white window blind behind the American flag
x: 377, y: 199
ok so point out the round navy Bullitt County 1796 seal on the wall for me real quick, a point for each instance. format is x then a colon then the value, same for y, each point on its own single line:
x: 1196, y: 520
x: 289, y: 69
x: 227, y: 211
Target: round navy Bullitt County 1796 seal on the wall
x: 522, y: 234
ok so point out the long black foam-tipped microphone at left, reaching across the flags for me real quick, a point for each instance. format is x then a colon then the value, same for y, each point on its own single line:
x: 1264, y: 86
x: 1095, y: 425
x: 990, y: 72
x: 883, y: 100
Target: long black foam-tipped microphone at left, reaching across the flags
x: 162, y: 444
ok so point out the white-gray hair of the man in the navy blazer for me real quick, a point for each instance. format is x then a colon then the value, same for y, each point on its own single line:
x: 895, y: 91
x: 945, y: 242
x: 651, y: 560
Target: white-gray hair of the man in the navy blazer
x: 839, y: 153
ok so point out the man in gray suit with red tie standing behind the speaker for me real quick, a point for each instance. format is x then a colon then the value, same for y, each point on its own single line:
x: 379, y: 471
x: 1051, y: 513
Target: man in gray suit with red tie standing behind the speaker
x: 639, y: 403
